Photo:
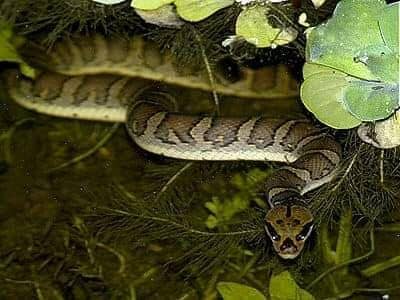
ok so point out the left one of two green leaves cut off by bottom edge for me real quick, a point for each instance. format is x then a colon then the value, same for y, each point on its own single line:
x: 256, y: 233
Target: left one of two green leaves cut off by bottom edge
x: 237, y: 291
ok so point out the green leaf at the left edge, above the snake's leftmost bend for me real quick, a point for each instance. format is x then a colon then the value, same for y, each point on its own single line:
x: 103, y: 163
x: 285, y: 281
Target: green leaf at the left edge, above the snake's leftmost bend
x: 8, y: 49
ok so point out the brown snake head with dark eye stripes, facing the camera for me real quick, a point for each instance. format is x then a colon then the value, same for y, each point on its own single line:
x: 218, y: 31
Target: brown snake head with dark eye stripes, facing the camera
x: 288, y: 227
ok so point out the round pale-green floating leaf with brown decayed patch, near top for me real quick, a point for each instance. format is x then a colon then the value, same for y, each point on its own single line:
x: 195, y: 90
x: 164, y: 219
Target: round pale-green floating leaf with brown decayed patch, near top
x: 252, y: 24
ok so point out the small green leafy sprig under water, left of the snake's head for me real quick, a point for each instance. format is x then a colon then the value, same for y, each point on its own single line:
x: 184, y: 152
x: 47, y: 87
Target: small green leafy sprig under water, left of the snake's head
x: 223, y: 210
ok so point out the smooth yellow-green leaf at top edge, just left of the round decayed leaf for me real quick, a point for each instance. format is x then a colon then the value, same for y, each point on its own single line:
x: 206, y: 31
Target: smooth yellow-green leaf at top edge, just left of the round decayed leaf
x: 197, y: 10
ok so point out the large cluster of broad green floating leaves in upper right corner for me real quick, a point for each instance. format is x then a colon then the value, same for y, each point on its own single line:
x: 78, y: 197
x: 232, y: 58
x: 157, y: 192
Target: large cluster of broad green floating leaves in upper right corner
x: 353, y: 71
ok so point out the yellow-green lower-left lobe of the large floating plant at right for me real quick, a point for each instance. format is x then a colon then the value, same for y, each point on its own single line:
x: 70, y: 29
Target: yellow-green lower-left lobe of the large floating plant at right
x: 323, y: 92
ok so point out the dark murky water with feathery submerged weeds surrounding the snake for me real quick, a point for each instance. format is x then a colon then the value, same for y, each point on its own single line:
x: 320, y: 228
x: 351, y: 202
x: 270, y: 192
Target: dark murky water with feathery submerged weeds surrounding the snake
x: 79, y: 220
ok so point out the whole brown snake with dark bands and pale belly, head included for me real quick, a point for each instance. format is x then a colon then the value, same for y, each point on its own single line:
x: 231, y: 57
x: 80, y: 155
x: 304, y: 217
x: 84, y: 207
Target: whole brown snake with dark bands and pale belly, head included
x: 94, y: 78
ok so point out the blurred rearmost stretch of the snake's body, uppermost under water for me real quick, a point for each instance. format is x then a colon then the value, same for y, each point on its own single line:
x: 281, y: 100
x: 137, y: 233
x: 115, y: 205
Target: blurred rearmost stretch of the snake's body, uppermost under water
x: 83, y: 55
